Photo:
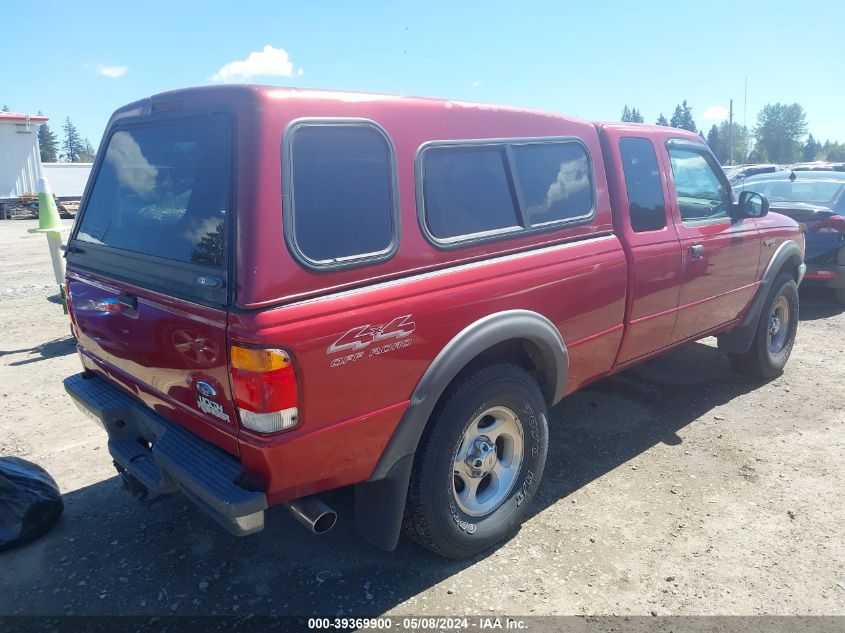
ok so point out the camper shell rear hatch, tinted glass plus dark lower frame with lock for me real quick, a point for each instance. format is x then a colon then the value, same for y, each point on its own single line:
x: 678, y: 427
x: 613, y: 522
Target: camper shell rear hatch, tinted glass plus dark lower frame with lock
x: 159, y: 209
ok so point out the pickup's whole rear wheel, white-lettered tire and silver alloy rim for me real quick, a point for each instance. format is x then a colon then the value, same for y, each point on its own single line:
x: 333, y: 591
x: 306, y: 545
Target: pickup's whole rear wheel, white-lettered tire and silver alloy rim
x: 479, y: 463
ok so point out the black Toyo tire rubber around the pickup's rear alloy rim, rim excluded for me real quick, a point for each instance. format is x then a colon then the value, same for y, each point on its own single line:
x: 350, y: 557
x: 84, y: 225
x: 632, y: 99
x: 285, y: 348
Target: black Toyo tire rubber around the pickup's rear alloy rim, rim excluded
x: 433, y: 517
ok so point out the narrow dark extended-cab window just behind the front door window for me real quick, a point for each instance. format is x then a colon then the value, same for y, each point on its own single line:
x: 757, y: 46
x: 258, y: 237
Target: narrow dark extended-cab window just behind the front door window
x: 642, y: 182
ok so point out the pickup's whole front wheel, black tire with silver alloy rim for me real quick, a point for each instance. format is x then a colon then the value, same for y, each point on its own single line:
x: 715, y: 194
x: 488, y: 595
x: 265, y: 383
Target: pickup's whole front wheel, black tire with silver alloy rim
x: 776, y: 332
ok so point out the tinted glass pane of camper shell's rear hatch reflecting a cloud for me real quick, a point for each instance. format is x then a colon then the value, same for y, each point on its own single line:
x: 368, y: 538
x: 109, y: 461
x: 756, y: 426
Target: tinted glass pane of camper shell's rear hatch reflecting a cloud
x: 163, y: 190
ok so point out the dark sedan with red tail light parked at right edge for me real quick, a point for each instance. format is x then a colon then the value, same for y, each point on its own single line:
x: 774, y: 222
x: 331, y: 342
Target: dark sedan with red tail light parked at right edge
x: 816, y: 199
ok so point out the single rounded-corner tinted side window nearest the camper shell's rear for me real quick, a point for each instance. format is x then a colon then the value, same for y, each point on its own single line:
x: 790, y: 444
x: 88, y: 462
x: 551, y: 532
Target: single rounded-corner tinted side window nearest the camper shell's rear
x: 341, y: 192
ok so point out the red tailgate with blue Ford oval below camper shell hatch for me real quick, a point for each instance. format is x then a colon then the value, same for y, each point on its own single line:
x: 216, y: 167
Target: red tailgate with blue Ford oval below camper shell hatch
x: 169, y: 354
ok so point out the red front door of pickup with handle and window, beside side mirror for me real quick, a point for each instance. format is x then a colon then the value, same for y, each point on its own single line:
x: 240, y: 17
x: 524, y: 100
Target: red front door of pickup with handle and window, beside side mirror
x: 720, y: 254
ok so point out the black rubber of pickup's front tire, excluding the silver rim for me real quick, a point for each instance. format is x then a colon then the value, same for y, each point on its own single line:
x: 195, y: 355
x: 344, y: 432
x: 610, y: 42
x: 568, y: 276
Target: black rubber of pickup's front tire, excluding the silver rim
x: 761, y: 362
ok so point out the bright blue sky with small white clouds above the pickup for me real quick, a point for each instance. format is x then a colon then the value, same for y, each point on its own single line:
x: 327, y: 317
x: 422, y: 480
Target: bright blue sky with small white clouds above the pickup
x: 587, y: 59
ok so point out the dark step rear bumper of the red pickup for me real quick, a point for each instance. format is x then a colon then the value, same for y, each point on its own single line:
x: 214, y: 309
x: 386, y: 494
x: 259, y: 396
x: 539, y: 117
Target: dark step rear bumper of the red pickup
x: 164, y: 458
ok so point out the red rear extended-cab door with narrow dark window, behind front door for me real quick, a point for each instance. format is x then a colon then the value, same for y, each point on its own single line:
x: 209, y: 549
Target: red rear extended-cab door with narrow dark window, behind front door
x: 641, y: 214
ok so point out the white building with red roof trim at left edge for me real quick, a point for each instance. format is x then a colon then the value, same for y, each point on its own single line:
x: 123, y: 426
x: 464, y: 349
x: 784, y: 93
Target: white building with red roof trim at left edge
x: 20, y: 160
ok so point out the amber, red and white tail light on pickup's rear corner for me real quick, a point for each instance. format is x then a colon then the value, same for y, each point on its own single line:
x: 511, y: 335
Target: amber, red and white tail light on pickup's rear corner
x: 264, y: 384
